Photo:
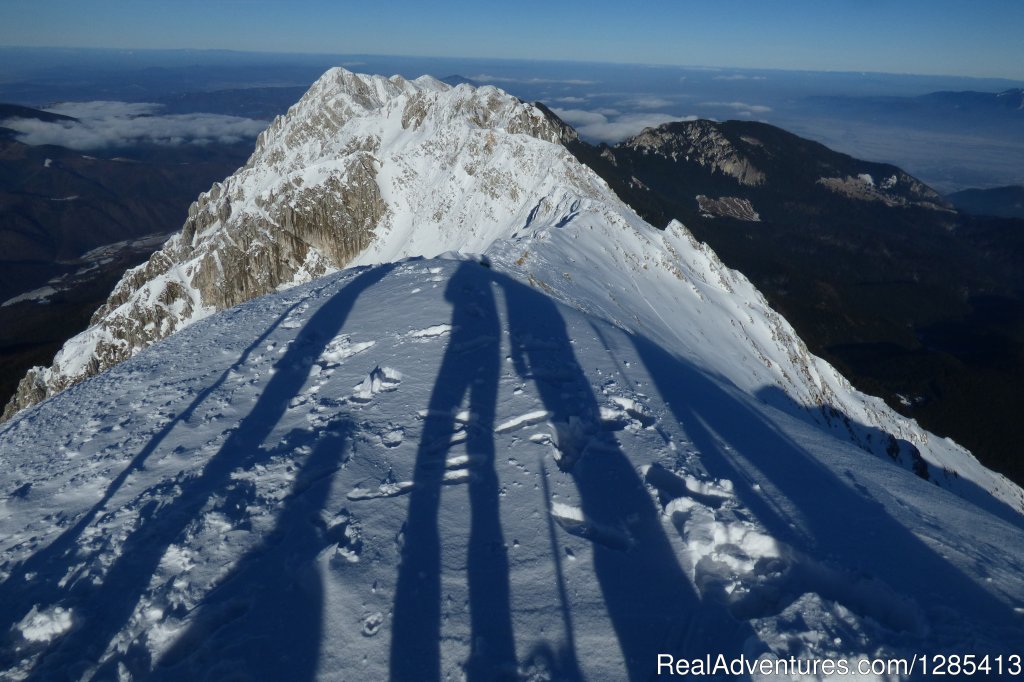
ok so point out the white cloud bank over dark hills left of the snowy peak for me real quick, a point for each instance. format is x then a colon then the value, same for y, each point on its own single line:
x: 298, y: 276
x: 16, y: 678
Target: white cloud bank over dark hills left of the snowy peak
x: 118, y: 124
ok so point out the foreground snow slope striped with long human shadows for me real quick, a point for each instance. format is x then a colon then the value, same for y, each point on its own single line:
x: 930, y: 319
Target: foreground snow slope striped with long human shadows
x: 268, y: 494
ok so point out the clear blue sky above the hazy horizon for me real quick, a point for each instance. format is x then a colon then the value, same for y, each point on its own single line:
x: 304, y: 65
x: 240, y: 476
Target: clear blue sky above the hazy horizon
x: 949, y: 37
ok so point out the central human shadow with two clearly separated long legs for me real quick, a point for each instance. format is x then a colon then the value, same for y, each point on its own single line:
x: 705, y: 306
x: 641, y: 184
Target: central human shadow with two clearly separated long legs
x: 471, y: 366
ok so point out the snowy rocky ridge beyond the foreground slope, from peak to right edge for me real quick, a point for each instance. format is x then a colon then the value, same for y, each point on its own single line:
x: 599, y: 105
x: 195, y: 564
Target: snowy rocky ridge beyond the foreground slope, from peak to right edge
x: 371, y: 170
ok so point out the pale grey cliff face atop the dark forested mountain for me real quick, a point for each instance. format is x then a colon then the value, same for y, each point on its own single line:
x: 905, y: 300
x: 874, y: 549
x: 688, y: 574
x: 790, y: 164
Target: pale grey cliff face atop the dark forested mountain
x: 700, y: 142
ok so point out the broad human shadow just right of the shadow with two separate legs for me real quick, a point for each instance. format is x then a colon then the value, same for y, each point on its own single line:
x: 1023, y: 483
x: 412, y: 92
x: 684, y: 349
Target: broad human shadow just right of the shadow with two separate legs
x: 650, y: 600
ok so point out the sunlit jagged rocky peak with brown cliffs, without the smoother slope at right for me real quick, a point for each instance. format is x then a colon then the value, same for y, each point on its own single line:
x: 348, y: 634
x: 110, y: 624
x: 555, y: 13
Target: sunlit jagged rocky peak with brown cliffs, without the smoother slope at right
x: 356, y: 161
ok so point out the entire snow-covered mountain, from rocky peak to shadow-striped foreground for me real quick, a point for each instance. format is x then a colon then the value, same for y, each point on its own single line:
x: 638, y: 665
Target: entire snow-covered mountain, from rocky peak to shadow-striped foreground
x: 605, y: 444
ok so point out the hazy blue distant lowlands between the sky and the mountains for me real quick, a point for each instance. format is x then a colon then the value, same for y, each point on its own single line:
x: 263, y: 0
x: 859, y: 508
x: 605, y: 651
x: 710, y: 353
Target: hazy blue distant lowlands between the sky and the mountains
x: 873, y: 116
